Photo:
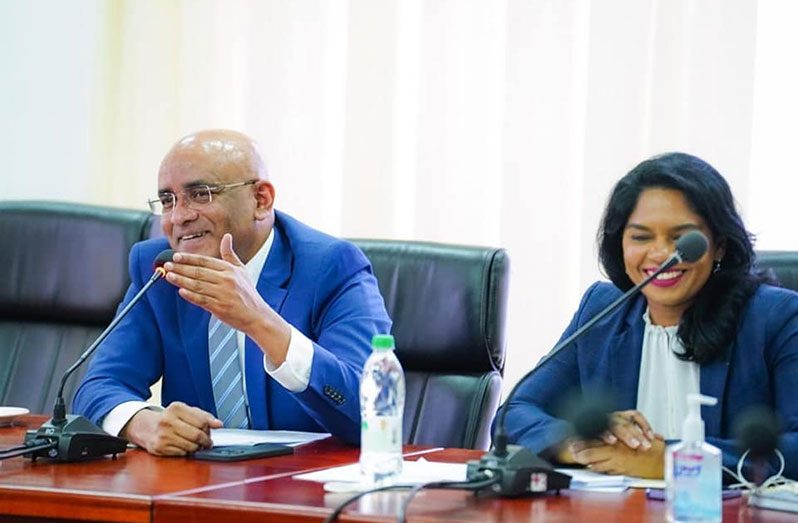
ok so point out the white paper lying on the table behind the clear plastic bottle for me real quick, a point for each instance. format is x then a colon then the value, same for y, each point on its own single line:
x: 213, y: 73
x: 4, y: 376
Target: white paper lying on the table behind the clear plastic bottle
x: 413, y: 473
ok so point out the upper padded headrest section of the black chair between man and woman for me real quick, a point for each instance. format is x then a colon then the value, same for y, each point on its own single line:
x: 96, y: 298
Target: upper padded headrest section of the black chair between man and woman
x: 448, y: 303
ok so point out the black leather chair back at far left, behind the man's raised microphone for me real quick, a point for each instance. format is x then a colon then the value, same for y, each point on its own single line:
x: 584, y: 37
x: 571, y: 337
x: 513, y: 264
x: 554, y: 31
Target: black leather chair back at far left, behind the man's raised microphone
x: 64, y: 273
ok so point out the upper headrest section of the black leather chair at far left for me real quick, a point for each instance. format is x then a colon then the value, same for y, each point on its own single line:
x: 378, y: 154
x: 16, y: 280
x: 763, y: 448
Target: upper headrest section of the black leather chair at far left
x: 65, y: 260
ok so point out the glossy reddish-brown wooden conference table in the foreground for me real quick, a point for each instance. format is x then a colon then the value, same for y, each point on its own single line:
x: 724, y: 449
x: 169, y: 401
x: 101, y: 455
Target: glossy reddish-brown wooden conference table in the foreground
x: 138, y: 487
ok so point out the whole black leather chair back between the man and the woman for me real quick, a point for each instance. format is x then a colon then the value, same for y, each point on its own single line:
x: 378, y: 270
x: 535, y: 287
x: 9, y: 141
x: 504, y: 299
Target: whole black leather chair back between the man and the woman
x: 448, y: 305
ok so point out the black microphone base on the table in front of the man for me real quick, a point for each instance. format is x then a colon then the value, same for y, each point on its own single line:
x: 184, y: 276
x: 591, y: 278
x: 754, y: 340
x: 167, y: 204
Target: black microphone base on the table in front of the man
x: 76, y: 439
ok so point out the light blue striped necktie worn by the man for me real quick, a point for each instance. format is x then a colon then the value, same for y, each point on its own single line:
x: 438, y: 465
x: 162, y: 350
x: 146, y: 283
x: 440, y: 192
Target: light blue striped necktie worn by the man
x: 228, y: 387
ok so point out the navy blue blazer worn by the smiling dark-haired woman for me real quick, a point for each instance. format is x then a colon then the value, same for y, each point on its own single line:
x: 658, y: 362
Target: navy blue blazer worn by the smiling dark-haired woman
x: 761, y: 367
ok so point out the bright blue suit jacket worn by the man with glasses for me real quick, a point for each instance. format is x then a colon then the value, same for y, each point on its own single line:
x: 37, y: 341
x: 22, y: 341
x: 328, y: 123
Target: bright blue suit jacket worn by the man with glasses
x: 321, y: 285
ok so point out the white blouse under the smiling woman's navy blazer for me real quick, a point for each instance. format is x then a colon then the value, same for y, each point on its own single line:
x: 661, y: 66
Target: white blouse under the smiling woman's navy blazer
x: 665, y: 380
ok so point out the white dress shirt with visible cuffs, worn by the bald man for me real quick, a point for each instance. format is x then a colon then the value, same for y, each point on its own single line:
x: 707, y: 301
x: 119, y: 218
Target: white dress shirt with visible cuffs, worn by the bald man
x: 293, y: 374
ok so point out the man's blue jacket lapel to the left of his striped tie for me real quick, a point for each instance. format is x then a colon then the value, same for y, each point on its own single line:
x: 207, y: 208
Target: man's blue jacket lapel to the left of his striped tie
x: 193, y: 323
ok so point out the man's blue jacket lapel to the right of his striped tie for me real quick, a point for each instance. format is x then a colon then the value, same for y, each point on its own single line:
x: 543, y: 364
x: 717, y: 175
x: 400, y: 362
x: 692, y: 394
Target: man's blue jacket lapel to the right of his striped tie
x: 272, y: 287
